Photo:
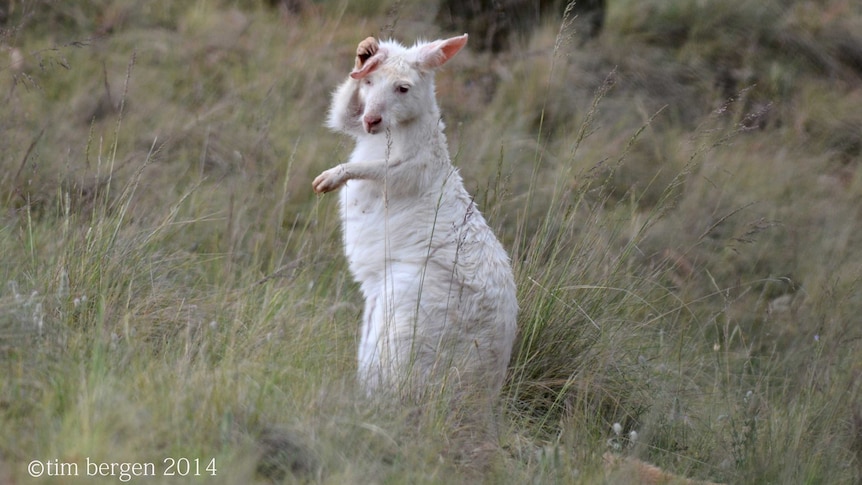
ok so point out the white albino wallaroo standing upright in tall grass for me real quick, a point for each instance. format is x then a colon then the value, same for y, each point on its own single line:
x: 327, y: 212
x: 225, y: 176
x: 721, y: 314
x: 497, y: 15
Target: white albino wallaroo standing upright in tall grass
x: 440, y: 304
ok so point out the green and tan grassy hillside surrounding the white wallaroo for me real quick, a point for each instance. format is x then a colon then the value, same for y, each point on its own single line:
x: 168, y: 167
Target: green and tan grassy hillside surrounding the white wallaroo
x: 680, y: 197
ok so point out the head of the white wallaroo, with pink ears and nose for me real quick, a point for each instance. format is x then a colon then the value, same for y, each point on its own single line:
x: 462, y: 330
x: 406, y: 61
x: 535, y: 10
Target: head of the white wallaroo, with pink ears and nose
x: 397, y: 83
